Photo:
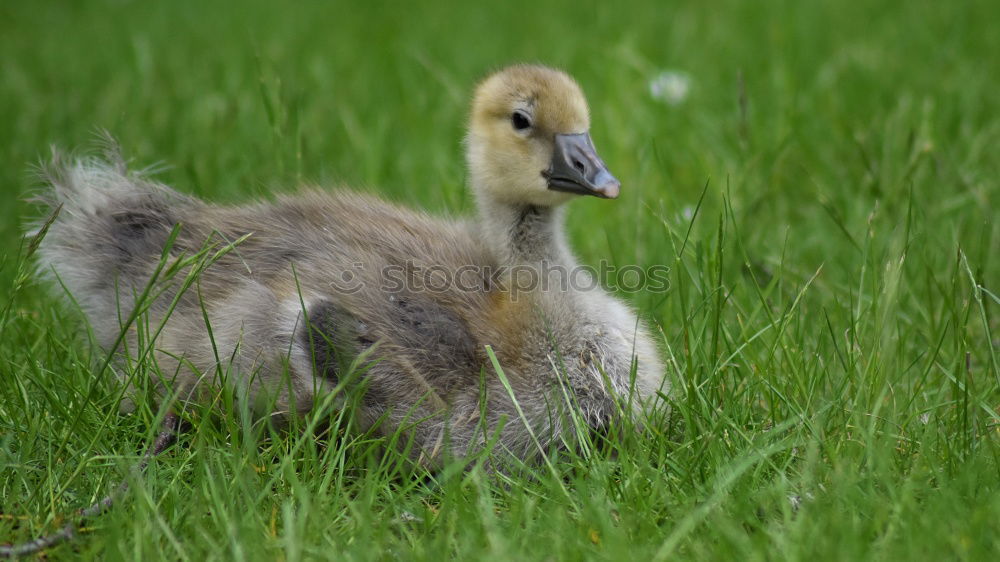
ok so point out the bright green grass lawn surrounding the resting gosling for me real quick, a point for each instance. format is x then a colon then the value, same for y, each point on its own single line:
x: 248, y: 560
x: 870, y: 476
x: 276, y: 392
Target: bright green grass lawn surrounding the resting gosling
x: 825, y: 197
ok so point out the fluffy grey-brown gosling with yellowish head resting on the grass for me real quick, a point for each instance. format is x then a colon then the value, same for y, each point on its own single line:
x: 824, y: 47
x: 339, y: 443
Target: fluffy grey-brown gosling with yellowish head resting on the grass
x: 322, y: 278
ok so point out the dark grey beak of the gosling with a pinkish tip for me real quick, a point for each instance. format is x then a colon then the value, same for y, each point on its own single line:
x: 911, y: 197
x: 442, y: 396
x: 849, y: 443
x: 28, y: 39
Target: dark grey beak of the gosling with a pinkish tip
x: 576, y: 168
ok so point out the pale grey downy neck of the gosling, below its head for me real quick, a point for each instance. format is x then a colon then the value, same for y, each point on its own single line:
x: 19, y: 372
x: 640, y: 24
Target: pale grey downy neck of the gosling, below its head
x: 523, y: 234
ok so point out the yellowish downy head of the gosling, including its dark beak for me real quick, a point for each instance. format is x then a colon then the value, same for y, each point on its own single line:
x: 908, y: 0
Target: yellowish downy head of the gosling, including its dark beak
x: 529, y: 143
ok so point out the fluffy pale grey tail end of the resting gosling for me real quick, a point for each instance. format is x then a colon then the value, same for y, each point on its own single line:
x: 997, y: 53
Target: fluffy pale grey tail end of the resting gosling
x: 108, y: 232
